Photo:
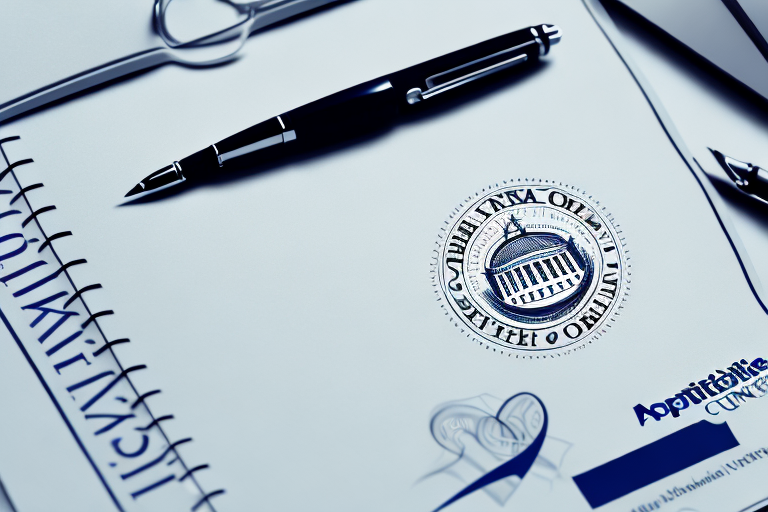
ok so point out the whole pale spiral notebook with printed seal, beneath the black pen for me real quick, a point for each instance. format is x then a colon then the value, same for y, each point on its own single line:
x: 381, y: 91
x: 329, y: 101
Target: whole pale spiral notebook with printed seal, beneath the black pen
x: 294, y: 340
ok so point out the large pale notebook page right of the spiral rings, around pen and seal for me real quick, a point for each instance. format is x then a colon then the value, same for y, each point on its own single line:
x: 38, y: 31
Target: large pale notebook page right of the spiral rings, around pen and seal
x: 290, y: 318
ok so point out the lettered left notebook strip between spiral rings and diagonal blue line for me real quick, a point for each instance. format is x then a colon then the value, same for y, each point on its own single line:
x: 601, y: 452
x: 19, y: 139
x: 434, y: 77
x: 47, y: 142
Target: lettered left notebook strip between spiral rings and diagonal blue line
x: 80, y: 372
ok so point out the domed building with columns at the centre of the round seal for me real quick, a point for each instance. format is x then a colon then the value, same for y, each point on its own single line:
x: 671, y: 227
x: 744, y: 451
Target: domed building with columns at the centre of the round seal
x: 536, y: 274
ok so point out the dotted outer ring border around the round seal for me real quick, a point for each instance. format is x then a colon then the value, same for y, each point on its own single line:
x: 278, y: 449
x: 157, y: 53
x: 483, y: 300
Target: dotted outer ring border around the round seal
x: 546, y: 353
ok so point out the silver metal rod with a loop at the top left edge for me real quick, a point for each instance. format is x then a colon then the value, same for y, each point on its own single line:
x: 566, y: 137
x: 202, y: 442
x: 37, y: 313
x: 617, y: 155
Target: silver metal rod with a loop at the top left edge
x: 209, y: 50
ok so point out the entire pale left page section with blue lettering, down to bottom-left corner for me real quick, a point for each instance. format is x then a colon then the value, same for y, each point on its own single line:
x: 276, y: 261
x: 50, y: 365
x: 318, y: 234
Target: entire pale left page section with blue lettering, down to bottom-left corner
x: 54, y: 317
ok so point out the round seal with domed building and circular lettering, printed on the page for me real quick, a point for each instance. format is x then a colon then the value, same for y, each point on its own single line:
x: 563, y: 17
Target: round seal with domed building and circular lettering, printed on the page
x: 532, y: 266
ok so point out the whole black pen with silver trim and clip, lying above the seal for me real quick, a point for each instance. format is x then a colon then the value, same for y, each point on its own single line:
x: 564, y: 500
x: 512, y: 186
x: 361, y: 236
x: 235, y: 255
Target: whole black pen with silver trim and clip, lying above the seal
x: 357, y: 111
